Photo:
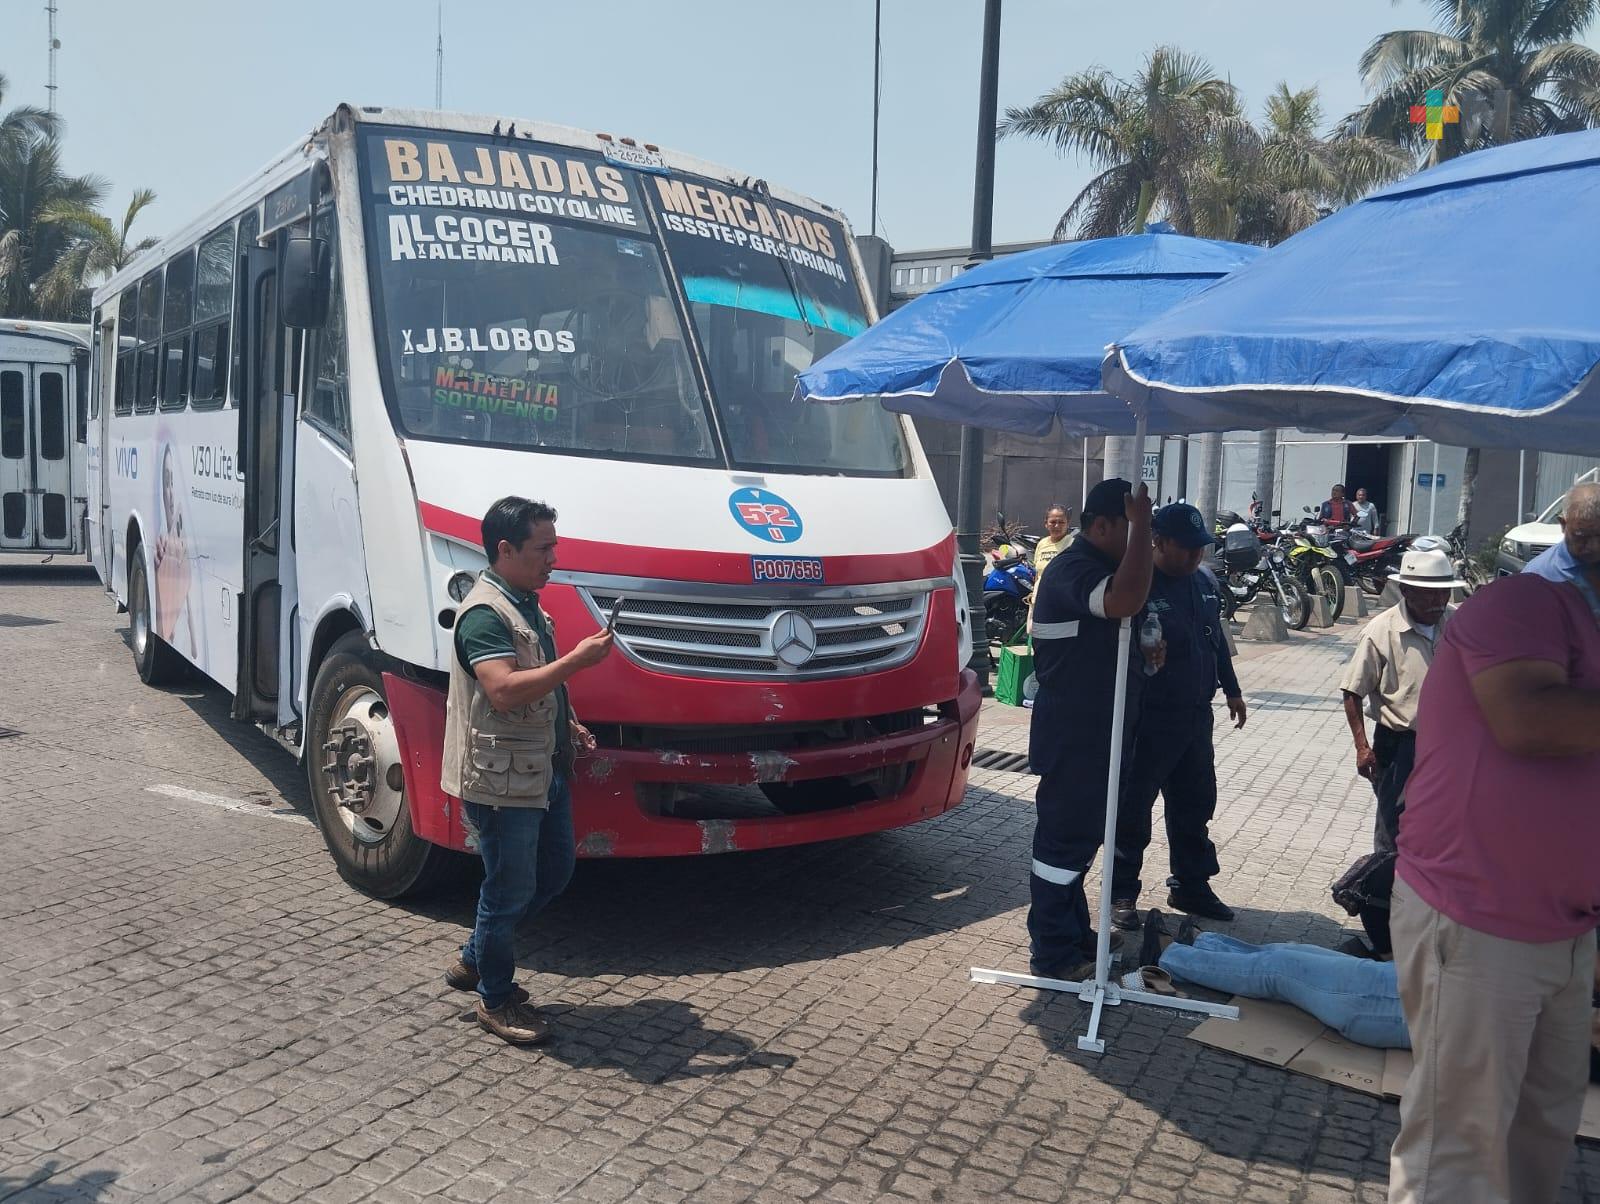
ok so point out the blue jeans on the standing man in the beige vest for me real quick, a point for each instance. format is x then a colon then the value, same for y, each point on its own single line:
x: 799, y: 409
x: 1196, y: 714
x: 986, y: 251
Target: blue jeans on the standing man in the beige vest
x: 529, y: 859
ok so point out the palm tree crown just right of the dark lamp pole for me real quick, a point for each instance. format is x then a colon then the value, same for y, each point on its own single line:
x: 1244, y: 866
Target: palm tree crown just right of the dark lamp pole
x: 1146, y: 135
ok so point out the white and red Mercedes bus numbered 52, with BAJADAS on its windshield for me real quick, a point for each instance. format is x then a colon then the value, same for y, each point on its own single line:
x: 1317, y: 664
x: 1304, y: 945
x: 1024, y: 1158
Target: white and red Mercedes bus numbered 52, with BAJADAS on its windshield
x: 310, y: 398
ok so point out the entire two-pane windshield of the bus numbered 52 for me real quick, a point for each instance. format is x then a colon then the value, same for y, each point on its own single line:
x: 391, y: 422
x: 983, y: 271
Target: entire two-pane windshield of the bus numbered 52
x: 522, y: 300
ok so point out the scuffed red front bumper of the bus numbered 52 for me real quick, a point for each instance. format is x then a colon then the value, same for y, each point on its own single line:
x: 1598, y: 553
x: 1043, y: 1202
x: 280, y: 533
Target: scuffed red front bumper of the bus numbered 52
x: 612, y: 787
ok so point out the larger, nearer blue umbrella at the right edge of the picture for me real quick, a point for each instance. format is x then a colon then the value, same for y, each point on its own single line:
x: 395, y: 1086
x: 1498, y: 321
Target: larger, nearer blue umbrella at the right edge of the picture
x: 1462, y: 305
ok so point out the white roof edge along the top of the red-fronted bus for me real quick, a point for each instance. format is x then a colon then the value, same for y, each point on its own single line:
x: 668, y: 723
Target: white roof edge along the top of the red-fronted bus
x: 297, y: 159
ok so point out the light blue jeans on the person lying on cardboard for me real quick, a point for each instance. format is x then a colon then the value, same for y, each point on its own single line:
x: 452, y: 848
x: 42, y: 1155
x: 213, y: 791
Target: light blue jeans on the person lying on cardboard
x: 1356, y: 998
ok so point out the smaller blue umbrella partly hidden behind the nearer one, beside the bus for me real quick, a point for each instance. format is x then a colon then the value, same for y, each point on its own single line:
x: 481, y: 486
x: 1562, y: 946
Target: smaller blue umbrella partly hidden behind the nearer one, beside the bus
x: 1017, y: 345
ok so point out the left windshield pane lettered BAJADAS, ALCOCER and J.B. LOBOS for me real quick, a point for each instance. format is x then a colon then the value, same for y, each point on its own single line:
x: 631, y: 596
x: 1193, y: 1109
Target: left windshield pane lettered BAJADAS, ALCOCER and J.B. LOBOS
x: 521, y: 302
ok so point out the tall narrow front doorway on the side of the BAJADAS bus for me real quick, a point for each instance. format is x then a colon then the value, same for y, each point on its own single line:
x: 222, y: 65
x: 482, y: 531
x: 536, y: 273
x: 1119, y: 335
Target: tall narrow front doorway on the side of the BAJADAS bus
x: 265, y: 422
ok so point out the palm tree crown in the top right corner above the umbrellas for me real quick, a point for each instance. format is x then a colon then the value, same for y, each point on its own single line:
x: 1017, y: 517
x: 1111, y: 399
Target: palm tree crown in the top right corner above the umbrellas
x: 1519, y: 54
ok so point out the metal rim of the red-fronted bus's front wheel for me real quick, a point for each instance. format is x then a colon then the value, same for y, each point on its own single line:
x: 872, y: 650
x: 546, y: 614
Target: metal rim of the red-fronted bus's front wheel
x: 361, y: 766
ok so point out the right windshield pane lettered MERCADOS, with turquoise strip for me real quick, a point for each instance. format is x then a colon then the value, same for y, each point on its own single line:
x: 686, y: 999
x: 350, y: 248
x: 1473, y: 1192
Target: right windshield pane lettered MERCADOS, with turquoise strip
x: 772, y: 289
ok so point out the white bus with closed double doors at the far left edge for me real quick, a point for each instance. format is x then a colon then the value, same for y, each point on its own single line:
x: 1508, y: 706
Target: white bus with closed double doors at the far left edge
x: 44, y: 427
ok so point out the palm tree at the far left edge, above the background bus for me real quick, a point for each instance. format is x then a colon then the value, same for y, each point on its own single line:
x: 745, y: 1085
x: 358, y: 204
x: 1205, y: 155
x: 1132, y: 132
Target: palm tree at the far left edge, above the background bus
x: 33, y: 183
